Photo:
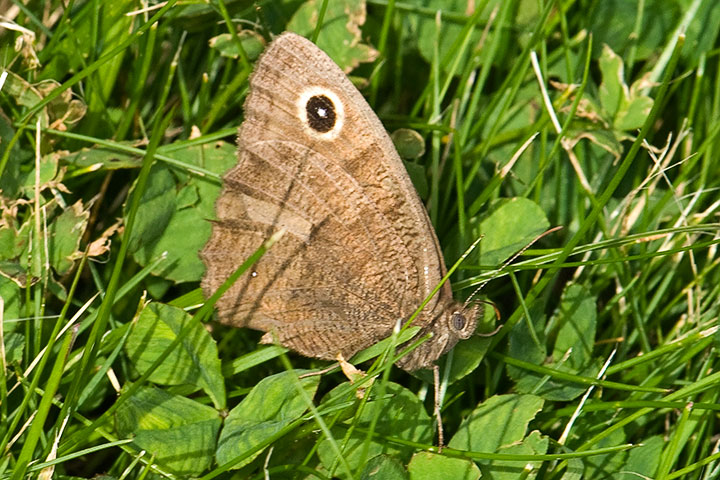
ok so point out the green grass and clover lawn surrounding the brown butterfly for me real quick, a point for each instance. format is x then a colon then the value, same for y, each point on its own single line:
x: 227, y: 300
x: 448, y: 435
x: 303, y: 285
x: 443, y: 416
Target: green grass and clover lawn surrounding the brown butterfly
x: 115, y: 130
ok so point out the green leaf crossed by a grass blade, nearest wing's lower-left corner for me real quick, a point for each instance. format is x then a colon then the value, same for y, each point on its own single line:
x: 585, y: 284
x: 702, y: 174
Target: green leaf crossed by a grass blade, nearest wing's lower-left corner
x: 194, y: 362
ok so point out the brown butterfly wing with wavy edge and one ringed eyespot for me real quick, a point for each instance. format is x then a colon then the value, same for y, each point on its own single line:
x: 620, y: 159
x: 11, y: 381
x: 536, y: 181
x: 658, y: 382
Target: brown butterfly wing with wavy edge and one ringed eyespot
x: 359, y: 252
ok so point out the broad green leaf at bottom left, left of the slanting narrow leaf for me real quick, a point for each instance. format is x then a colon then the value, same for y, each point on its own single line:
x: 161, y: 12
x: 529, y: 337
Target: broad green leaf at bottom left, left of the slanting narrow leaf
x: 180, y: 433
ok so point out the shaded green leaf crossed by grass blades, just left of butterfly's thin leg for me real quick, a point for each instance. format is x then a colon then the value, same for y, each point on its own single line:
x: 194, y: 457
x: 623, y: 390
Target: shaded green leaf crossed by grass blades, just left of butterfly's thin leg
x: 401, y: 415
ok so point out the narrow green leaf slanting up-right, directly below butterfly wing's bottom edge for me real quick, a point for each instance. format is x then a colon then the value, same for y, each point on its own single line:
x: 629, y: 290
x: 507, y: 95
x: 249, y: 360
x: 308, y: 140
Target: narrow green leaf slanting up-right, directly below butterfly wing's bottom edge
x: 270, y: 406
